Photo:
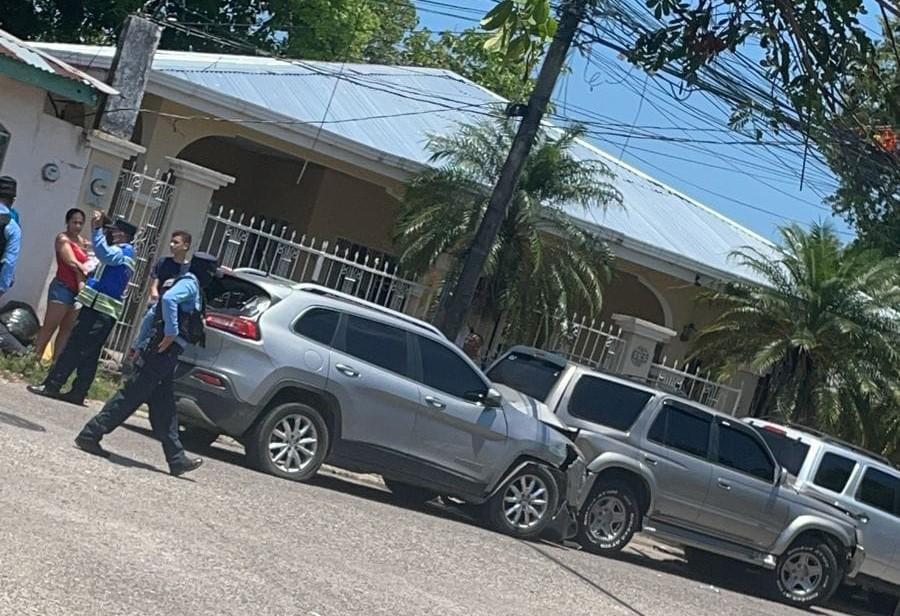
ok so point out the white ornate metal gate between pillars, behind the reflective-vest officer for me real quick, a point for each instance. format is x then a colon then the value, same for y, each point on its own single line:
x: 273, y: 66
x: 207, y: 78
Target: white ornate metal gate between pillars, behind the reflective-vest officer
x: 143, y: 200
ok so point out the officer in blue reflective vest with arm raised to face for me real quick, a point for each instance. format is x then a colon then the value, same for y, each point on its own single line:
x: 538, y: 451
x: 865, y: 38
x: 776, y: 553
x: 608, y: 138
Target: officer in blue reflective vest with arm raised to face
x: 101, y: 300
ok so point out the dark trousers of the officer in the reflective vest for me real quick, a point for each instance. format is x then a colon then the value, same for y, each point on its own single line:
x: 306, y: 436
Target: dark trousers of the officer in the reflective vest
x: 82, y: 352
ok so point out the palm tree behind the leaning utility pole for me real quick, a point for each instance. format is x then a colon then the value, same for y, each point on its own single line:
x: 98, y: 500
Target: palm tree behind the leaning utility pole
x: 542, y: 263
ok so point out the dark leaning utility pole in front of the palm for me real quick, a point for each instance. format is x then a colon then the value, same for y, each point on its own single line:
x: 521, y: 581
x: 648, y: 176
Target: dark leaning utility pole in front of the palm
x: 452, y: 315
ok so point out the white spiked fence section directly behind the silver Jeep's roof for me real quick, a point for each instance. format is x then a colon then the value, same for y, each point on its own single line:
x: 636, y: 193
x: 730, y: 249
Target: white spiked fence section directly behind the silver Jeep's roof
x: 240, y: 240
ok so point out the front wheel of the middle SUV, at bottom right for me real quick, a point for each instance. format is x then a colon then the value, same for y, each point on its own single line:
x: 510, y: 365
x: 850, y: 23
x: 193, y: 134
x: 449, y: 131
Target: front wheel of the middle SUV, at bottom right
x: 807, y: 573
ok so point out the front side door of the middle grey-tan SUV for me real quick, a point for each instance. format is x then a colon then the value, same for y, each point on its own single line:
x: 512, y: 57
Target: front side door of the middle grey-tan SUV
x: 743, y: 504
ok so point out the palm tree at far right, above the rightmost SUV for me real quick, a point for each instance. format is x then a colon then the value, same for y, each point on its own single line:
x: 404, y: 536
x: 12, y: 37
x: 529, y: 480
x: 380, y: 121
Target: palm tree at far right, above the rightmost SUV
x: 823, y: 318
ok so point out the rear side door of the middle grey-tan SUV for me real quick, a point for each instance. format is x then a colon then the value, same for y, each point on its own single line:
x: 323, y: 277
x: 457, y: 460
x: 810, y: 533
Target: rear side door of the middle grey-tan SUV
x: 676, y: 450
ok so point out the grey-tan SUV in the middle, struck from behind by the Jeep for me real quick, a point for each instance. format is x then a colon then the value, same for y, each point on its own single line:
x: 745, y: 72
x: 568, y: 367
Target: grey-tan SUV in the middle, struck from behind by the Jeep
x: 690, y: 476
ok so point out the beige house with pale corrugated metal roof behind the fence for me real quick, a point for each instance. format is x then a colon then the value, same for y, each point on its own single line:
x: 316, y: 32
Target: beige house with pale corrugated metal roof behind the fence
x: 320, y: 153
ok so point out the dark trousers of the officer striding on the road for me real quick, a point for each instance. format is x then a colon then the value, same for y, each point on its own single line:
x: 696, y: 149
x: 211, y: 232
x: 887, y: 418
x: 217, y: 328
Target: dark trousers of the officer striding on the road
x: 152, y: 383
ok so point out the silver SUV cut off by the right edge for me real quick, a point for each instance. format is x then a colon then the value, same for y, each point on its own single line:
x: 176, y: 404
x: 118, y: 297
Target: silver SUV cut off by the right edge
x: 862, y: 483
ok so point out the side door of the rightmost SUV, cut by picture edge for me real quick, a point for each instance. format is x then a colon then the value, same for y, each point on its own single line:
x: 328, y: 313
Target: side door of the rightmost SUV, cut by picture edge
x: 878, y: 498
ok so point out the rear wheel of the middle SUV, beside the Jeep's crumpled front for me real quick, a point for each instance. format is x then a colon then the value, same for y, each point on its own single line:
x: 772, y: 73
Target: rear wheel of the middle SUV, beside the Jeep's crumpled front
x: 608, y: 519
